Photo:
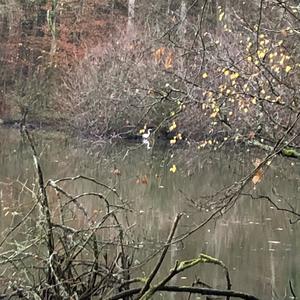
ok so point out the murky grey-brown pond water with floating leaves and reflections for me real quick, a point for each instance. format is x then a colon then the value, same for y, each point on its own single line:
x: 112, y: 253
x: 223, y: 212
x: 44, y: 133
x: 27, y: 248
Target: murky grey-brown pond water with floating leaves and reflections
x: 255, y: 241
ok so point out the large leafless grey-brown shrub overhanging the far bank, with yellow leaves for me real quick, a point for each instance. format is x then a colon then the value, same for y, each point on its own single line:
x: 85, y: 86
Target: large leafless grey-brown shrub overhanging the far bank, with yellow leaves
x: 237, y: 75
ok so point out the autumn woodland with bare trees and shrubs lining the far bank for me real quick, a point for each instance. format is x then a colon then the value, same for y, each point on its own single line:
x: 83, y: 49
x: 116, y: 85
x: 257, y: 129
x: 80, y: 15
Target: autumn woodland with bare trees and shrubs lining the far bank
x: 211, y: 71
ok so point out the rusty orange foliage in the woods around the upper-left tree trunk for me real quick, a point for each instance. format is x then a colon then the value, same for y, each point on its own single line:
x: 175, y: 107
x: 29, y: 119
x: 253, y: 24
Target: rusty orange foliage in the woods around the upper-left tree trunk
x: 77, y: 32
